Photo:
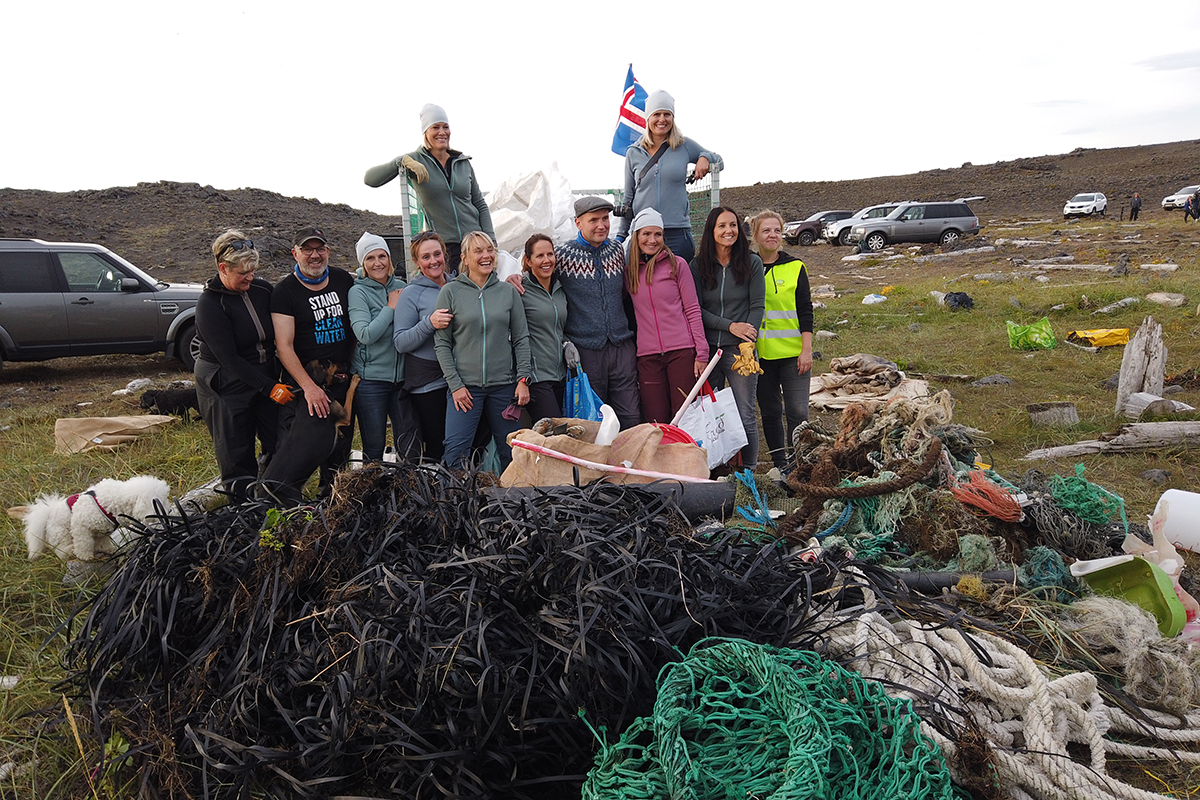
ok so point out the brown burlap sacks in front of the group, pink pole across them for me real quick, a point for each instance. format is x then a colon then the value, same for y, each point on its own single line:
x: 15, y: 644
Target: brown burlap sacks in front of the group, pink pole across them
x: 640, y: 448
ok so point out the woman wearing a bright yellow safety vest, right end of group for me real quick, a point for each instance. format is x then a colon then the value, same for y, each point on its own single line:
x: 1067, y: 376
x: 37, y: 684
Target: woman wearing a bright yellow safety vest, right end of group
x: 785, y: 340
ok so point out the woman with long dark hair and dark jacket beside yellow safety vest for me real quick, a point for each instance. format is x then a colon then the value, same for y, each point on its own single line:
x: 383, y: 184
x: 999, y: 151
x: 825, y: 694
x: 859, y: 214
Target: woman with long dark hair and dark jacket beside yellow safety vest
x: 733, y: 299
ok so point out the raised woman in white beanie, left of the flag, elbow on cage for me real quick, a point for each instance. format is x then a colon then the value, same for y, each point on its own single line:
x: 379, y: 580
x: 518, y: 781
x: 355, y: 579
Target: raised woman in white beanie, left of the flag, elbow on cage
x: 445, y: 182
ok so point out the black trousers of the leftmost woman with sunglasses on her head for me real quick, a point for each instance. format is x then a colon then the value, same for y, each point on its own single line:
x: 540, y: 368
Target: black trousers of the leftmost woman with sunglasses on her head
x: 238, y: 417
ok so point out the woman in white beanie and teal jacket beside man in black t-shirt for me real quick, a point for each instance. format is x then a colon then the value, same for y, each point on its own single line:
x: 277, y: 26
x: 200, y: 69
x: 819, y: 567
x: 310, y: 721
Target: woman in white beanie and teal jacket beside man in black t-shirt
x: 381, y: 394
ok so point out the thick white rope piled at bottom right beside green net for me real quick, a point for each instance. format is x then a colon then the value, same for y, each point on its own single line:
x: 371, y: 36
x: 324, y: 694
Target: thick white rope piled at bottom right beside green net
x: 1029, y: 719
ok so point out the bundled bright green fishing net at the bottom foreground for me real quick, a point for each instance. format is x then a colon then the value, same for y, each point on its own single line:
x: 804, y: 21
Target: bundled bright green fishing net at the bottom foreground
x: 736, y: 720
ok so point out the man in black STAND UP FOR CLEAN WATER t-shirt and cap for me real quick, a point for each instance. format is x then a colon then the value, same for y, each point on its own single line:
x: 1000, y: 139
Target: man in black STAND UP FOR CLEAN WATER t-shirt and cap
x: 310, y: 311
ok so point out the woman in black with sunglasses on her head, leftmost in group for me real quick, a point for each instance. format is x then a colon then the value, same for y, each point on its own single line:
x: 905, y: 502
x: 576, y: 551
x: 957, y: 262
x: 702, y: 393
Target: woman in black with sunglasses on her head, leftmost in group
x: 237, y: 371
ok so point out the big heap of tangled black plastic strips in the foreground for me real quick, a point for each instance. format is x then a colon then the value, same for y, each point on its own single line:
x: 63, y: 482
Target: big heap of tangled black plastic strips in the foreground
x: 416, y: 639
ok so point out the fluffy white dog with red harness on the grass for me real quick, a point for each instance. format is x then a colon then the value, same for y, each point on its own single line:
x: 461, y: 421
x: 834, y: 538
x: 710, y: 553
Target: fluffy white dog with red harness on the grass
x: 82, y: 527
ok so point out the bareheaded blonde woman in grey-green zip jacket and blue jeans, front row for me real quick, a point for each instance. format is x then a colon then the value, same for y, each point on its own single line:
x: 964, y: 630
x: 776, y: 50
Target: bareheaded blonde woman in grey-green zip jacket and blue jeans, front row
x: 484, y: 353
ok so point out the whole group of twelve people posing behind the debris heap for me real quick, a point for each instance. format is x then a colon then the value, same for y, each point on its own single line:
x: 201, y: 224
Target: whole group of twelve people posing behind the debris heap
x: 457, y: 356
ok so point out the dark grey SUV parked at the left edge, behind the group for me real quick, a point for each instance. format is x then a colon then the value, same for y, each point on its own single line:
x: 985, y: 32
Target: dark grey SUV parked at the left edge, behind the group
x: 61, y: 299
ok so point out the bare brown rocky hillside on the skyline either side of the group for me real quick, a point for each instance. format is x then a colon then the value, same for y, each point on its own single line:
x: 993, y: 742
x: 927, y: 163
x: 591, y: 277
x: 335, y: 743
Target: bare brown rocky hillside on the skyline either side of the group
x: 170, y: 226
